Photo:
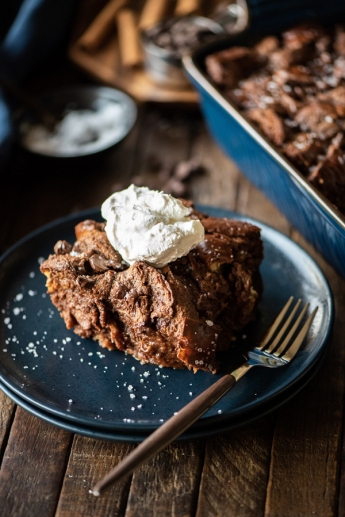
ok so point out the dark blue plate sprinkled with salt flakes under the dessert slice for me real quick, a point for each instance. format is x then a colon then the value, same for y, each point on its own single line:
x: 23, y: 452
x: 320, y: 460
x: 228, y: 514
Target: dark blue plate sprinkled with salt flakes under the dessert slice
x: 73, y: 379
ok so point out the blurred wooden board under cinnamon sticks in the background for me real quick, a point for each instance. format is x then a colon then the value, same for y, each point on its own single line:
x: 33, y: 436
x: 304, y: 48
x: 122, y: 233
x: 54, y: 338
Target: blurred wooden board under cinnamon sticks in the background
x: 102, y: 59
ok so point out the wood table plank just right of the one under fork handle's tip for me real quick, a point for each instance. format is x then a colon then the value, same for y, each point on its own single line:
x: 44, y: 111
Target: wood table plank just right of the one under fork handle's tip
x: 168, y: 484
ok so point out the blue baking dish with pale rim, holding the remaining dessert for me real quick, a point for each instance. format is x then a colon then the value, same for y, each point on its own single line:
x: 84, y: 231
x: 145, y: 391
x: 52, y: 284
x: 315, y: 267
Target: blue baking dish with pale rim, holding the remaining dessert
x: 304, y: 206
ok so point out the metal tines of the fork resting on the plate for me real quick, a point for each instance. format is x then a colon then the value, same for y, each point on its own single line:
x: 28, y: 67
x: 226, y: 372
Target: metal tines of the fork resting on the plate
x: 280, y: 335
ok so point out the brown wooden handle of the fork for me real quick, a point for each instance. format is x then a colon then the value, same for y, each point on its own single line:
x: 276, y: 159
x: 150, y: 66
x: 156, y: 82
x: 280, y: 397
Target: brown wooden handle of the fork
x: 167, y: 432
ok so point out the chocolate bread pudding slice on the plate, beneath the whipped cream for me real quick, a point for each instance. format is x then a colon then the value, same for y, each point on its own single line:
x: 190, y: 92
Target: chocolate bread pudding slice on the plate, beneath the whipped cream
x: 179, y: 315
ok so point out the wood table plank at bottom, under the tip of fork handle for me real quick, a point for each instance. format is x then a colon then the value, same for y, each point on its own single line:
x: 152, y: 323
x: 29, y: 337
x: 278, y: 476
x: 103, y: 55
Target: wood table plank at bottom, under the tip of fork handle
x: 89, y: 461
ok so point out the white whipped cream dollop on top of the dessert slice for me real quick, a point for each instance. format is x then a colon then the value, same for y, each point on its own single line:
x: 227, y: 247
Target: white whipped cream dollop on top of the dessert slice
x: 144, y: 224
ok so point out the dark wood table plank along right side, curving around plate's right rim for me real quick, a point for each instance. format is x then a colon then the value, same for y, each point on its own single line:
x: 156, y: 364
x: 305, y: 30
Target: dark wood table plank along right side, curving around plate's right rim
x: 305, y: 465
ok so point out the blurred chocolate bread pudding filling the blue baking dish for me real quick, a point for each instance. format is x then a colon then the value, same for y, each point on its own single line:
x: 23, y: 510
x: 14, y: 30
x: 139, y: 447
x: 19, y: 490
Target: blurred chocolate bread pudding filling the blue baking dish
x: 294, y: 91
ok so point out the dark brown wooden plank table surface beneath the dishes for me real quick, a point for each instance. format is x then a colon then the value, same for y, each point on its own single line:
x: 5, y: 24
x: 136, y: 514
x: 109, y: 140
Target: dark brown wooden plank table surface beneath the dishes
x: 288, y: 463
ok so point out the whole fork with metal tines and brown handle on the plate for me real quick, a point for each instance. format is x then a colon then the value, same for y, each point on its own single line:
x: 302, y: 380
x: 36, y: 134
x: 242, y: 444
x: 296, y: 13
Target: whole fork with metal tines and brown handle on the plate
x: 277, y: 348
